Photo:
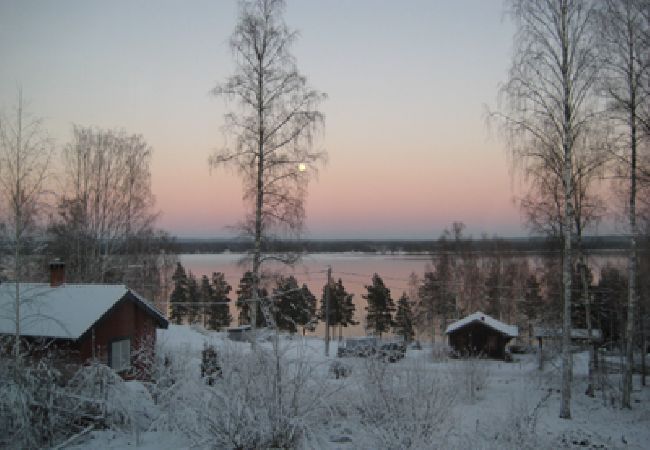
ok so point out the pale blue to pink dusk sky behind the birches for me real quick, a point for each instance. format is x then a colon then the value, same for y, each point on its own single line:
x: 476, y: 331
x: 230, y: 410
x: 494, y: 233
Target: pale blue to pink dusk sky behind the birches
x: 408, y: 85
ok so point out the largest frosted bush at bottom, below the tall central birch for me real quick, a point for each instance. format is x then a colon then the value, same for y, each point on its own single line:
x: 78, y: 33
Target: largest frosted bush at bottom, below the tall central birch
x: 262, y: 399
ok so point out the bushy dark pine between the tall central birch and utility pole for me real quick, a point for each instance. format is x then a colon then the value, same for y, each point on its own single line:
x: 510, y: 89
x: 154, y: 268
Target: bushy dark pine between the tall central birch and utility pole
x: 294, y: 306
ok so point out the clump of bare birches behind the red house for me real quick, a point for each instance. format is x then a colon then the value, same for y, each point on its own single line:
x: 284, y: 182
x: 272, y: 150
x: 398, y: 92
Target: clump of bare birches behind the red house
x: 107, y: 206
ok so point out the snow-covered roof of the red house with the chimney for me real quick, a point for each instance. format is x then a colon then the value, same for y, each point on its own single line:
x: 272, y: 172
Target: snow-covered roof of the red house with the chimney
x: 65, y: 311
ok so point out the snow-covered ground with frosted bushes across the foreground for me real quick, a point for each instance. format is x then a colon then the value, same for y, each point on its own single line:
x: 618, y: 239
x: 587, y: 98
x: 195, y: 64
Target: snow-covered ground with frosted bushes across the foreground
x: 417, y: 402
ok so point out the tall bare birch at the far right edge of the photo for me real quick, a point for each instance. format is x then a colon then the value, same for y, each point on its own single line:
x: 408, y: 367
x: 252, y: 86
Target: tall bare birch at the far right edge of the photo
x: 625, y: 41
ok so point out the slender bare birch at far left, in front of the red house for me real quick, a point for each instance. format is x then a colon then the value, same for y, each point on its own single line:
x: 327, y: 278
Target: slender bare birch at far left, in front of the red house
x: 25, y: 156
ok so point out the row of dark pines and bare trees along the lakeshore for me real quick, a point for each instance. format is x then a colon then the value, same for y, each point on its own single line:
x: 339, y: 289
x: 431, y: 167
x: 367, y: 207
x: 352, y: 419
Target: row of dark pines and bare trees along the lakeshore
x: 456, y: 283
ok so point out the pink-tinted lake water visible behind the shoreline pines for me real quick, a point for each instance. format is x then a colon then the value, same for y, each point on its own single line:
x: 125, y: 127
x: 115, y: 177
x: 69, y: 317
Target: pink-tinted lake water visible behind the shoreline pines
x: 354, y: 269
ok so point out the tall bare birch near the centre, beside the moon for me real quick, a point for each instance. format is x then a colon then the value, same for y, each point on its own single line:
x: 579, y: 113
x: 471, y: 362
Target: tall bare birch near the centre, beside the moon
x: 271, y: 132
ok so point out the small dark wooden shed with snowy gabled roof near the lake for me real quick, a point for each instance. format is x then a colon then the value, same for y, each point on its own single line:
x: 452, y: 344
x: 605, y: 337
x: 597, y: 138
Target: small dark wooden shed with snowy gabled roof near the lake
x: 480, y: 334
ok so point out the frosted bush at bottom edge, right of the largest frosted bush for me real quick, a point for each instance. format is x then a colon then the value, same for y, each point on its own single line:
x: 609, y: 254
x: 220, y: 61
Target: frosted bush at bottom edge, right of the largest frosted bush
x: 404, y: 406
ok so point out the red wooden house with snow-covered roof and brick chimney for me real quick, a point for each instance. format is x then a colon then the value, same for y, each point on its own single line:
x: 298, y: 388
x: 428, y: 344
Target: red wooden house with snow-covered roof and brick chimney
x: 82, y: 322
